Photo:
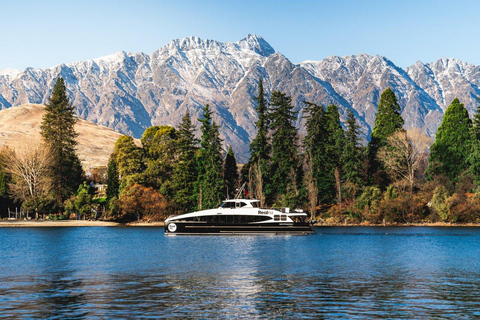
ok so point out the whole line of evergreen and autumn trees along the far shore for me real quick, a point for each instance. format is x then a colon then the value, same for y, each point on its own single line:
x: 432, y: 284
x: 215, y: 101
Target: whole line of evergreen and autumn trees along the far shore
x: 399, y: 176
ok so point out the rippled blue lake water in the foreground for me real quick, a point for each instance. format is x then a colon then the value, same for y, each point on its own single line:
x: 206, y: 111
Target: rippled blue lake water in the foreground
x: 346, y: 273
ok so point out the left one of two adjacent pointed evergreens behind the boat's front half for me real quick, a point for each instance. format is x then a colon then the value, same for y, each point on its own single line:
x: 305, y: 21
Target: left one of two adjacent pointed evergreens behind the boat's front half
x: 185, y: 171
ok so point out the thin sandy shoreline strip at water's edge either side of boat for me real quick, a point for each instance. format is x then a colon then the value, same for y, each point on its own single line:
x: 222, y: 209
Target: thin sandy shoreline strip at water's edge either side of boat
x: 86, y: 223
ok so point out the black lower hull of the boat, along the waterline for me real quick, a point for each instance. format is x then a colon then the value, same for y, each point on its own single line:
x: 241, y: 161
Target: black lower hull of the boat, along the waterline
x: 189, y: 228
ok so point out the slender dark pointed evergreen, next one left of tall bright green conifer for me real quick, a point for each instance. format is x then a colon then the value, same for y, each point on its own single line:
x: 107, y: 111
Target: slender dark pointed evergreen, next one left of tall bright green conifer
x: 352, y: 157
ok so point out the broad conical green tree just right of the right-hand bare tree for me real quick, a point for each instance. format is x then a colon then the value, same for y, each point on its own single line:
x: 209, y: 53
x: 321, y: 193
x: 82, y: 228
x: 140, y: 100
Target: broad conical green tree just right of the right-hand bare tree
x: 451, y: 149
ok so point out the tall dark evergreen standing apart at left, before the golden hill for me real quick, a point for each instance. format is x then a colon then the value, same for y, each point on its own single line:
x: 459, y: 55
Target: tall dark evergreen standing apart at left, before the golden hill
x: 57, y: 129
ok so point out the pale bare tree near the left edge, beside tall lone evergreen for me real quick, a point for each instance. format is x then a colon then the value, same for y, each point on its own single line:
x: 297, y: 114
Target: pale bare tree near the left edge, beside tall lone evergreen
x: 28, y: 164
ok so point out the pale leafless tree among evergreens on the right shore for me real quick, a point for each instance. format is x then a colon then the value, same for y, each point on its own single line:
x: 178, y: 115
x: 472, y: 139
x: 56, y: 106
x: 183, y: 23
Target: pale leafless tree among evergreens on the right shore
x: 405, y: 154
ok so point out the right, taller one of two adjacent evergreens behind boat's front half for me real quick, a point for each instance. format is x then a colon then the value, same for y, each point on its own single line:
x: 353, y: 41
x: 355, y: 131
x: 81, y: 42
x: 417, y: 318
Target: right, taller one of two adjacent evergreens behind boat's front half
x: 210, y: 182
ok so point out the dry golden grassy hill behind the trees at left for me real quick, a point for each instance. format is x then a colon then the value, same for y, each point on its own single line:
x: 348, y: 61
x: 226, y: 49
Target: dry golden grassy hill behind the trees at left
x: 95, y: 143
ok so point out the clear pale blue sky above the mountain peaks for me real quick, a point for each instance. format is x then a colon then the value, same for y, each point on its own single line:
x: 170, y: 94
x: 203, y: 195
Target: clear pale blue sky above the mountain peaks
x: 46, y: 33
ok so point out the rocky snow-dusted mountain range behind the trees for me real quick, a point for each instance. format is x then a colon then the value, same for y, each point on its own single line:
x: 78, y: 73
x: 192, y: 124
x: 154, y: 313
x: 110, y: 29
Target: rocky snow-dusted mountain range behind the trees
x: 129, y: 92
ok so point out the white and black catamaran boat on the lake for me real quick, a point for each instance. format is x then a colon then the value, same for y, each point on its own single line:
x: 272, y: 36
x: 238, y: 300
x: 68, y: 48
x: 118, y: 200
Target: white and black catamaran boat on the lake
x: 239, y: 216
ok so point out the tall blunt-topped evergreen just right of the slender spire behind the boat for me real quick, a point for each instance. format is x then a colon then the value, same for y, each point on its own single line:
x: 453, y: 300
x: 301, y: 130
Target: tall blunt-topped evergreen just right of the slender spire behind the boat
x: 285, y: 163
